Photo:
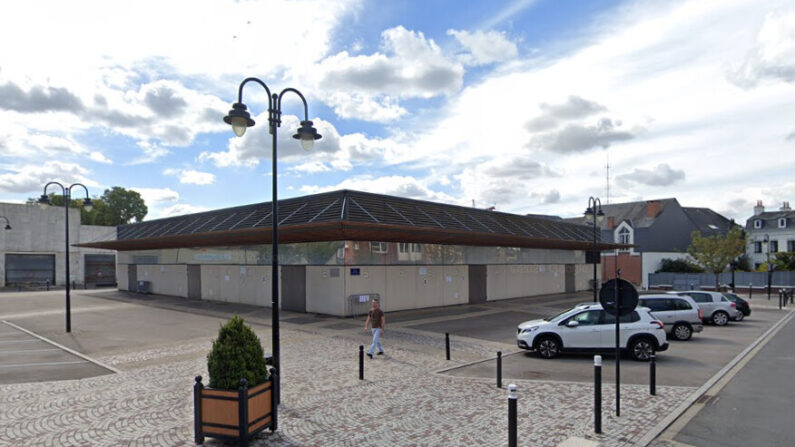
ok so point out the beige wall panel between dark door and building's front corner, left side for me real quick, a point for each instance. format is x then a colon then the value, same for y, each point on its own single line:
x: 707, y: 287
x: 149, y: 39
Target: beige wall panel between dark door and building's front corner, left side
x: 325, y: 294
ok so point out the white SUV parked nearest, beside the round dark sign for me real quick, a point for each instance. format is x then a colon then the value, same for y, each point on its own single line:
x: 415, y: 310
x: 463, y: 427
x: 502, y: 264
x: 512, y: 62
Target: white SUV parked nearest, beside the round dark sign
x: 588, y: 327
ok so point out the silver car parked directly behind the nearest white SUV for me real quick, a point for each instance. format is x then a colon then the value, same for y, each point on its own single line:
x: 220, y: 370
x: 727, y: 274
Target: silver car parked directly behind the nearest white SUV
x: 680, y: 314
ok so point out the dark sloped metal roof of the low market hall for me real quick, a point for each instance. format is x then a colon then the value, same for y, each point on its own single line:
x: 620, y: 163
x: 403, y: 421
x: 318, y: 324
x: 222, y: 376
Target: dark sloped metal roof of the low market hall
x: 353, y: 215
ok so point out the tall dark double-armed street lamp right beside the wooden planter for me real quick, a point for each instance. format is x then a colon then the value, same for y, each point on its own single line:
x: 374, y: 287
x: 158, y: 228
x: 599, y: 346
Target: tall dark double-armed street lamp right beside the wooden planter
x: 240, y: 119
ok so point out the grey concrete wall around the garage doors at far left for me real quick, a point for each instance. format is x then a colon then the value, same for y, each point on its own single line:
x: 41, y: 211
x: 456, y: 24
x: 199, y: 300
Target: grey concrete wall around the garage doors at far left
x: 42, y: 231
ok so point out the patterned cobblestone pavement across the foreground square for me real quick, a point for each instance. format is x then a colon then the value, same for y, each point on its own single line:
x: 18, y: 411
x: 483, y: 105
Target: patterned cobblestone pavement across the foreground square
x: 401, y: 402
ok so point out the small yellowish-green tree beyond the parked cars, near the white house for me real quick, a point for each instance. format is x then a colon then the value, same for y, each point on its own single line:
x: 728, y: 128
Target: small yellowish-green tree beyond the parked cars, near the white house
x: 714, y: 253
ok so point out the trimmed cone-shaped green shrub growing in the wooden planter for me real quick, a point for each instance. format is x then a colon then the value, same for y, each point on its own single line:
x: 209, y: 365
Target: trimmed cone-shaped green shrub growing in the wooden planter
x: 236, y: 354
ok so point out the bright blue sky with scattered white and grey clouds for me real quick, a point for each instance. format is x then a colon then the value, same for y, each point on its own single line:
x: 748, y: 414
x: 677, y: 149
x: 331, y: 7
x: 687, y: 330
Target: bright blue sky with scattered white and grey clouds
x: 520, y: 104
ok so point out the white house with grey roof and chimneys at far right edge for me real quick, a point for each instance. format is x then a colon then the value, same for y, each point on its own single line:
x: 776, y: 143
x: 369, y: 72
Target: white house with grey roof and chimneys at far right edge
x: 769, y: 232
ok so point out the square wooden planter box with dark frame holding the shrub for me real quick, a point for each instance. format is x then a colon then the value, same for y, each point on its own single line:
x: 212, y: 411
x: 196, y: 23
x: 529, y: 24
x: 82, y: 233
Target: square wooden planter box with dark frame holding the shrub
x: 218, y: 413
